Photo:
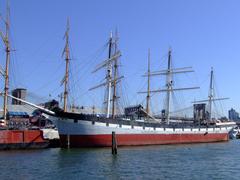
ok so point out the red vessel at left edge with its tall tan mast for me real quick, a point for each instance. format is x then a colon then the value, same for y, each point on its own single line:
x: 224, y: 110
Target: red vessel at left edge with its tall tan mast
x: 15, y: 132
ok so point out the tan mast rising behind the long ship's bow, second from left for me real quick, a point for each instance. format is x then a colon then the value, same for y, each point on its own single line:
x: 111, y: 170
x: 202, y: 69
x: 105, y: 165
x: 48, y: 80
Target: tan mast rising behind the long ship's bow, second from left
x: 66, y: 78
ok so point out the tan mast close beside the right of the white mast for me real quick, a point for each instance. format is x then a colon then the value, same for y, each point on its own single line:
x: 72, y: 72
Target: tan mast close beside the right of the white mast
x: 114, y: 98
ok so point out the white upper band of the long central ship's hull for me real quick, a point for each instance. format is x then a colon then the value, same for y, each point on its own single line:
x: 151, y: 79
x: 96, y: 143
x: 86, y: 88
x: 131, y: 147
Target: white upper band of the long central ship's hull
x: 68, y: 127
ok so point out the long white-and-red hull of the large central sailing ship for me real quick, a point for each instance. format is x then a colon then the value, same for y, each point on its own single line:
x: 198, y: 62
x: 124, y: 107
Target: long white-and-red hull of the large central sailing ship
x: 88, y: 134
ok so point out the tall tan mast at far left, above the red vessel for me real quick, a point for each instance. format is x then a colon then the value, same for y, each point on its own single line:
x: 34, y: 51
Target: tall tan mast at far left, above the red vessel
x: 7, y: 50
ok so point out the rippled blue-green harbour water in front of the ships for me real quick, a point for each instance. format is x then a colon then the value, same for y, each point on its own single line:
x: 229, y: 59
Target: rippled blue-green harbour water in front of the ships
x: 196, y: 161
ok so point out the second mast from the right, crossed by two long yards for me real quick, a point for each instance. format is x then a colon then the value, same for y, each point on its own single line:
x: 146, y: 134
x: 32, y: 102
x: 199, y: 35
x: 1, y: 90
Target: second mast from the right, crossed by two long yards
x: 169, y: 86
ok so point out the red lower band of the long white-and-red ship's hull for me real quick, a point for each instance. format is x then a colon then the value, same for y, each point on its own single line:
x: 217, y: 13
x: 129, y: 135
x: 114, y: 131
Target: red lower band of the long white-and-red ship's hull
x: 139, y: 139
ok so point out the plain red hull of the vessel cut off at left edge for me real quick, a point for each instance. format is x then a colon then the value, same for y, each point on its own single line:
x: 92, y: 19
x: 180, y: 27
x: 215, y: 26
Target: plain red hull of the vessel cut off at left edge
x: 22, y: 139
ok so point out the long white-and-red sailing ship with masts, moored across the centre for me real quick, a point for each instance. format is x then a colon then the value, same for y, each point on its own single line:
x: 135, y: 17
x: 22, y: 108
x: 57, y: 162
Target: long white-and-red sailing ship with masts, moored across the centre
x: 136, y: 126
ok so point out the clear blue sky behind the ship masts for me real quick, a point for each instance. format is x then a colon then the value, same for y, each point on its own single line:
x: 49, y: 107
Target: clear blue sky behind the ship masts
x: 201, y: 34
